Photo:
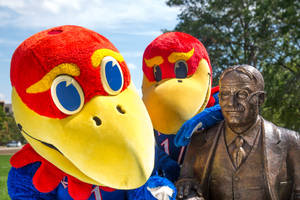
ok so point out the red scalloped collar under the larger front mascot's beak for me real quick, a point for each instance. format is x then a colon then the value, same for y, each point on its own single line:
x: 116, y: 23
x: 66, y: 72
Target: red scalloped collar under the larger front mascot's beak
x: 48, y: 177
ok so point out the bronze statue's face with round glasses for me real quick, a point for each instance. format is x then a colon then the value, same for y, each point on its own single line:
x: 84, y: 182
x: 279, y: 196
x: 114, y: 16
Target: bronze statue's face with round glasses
x: 235, y: 91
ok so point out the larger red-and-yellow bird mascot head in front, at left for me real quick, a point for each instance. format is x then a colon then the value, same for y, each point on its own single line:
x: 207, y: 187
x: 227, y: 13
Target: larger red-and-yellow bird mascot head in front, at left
x: 76, y: 106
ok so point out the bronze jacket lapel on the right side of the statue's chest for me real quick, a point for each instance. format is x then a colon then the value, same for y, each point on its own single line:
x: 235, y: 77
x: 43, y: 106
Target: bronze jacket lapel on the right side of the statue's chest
x: 272, y: 150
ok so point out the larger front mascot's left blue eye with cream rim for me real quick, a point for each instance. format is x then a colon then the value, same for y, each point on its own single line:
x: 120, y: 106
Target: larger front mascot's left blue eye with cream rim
x: 67, y: 94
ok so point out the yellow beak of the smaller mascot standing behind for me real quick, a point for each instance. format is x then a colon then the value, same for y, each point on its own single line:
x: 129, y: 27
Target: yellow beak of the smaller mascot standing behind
x: 173, y: 101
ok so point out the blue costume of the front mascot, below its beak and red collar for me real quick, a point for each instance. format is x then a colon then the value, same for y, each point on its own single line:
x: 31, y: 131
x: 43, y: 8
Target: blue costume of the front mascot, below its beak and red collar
x: 20, y: 187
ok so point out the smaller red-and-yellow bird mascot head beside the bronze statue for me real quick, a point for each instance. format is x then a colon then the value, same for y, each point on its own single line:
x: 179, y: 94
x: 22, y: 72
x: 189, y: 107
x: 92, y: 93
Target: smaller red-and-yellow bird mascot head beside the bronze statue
x: 177, y: 80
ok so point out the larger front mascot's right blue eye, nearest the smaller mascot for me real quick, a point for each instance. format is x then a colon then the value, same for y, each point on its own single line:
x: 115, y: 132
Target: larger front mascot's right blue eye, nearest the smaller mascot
x: 111, y: 75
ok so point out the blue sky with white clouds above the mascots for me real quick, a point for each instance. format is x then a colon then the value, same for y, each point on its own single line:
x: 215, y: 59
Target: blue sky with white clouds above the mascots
x: 129, y: 24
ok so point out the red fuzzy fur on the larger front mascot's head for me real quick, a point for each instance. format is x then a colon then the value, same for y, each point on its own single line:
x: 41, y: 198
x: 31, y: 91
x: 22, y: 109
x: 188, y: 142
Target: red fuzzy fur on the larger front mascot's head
x: 43, y: 51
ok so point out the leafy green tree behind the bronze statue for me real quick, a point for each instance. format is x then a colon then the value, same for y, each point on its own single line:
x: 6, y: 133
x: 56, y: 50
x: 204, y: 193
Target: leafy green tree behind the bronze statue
x: 261, y: 33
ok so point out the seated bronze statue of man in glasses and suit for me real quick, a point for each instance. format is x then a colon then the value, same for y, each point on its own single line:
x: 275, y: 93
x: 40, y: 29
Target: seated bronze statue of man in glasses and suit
x: 245, y: 156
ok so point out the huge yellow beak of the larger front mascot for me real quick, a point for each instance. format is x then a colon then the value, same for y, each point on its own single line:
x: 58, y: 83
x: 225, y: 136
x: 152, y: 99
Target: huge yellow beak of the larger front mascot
x: 117, y: 153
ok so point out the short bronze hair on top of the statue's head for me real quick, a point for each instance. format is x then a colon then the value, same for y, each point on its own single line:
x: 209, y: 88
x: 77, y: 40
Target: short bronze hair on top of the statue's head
x: 249, y: 71
